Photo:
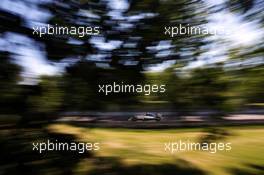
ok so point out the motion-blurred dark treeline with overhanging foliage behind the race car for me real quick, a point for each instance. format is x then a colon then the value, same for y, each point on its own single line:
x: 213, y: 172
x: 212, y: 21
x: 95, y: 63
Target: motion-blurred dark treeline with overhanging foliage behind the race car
x: 139, y: 31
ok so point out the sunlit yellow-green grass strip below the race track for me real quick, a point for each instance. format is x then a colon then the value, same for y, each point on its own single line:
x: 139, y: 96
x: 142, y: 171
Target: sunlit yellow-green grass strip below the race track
x: 137, y: 147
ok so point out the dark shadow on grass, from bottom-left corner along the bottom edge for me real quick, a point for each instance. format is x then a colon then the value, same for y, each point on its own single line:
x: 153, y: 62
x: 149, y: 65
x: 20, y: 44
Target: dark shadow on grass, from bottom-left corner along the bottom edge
x: 18, y: 158
